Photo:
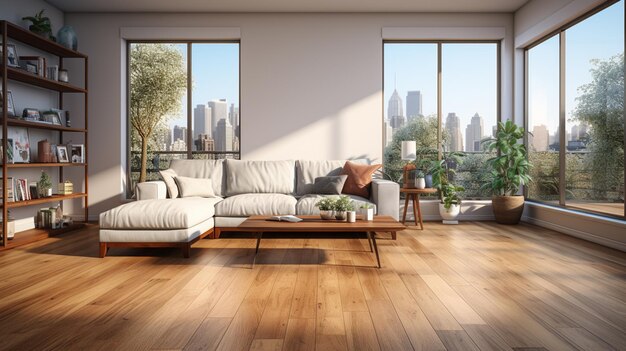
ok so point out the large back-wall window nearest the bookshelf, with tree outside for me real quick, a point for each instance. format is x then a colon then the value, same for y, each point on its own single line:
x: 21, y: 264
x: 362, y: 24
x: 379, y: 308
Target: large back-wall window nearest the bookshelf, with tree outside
x: 183, y: 102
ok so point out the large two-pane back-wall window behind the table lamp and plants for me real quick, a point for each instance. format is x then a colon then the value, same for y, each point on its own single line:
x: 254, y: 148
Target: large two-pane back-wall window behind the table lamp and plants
x: 452, y: 113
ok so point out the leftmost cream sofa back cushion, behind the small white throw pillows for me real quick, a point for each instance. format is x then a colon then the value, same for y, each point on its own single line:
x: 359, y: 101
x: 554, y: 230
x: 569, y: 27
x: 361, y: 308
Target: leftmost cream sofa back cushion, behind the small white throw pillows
x: 213, y: 169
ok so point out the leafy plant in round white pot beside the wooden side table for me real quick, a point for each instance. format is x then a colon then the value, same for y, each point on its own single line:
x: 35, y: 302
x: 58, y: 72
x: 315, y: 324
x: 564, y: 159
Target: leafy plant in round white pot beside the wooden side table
x: 450, y: 204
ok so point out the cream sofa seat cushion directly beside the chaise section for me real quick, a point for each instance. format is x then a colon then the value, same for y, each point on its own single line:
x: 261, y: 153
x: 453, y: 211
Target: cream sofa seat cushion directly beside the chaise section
x: 256, y: 204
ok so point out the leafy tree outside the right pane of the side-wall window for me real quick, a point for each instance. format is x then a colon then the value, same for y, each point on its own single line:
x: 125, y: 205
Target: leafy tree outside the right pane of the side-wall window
x: 600, y: 105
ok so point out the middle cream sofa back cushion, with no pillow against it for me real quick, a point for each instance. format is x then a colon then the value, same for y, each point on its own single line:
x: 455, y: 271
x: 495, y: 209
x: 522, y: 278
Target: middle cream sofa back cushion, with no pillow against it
x: 245, y: 177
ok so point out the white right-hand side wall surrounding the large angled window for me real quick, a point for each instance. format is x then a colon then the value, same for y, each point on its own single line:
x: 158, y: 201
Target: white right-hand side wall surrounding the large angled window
x: 532, y: 22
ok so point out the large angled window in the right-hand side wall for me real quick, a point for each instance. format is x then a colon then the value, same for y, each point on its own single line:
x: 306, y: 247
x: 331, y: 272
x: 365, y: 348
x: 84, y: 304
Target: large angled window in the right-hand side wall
x: 576, y: 91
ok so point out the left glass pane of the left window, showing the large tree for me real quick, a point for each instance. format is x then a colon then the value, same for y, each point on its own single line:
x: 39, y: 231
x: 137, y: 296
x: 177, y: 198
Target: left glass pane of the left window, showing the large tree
x: 157, y: 109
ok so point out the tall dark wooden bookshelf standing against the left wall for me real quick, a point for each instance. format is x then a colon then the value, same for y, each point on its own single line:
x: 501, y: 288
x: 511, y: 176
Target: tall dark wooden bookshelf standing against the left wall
x: 14, y: 33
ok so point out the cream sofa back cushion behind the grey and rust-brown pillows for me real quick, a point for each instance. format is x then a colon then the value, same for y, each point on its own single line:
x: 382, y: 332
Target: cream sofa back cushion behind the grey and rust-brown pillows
x: 308, y: 170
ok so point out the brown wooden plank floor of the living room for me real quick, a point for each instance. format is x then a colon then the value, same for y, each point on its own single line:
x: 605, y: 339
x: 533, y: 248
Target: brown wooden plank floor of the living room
x: 474, y: 286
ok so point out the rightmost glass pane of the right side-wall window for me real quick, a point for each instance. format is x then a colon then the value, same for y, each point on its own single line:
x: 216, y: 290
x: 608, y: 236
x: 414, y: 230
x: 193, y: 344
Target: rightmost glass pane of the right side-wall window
x: 594, y: 172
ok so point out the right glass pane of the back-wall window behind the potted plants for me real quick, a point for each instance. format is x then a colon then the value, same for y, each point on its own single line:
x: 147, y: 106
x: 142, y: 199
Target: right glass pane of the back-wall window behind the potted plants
x: 469, y: 106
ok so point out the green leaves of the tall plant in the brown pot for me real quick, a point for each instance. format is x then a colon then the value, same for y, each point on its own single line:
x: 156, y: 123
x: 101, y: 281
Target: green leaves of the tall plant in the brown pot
x: 510, y: 168
